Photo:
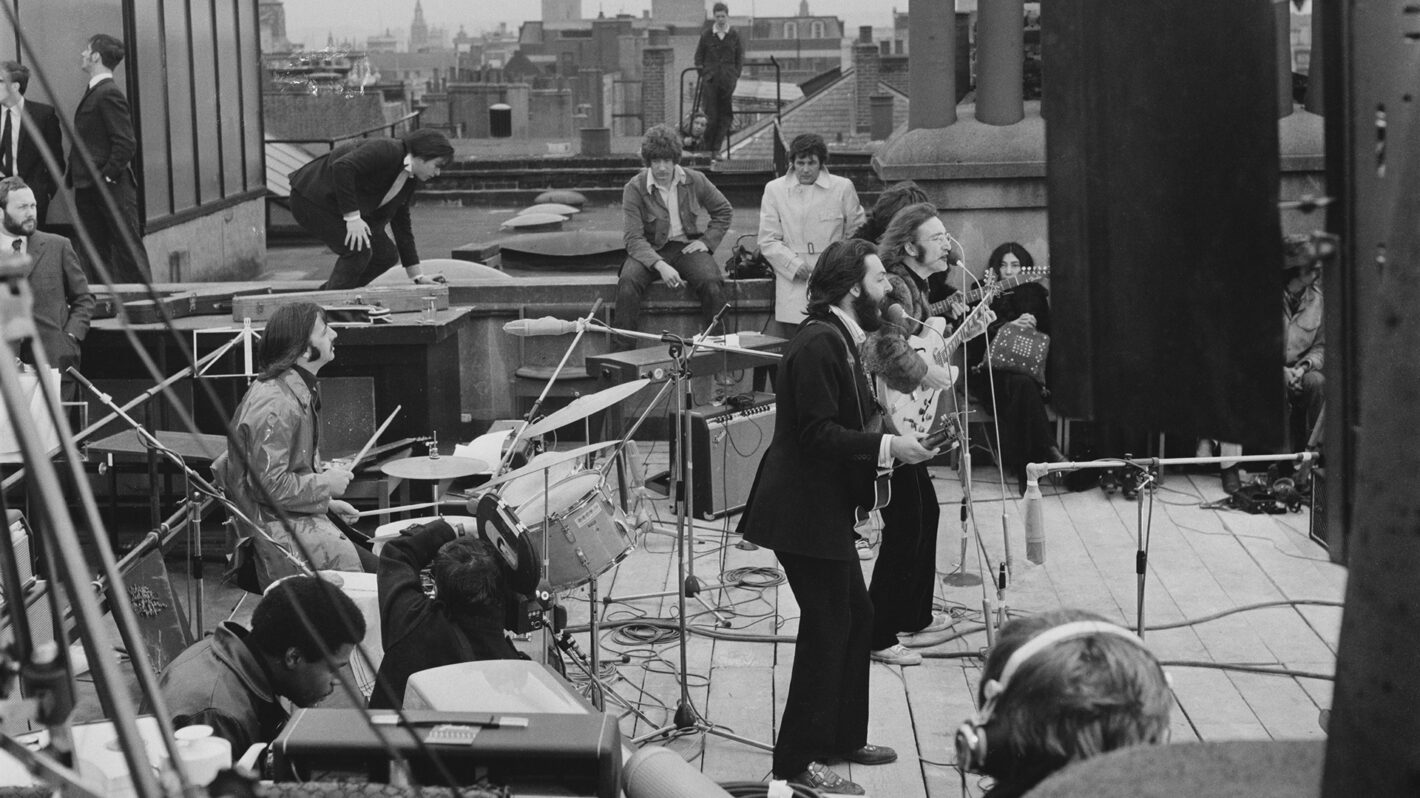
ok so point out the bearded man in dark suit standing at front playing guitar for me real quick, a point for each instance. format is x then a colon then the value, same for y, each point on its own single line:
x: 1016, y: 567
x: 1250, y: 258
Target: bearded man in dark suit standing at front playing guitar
x: 819, y: 469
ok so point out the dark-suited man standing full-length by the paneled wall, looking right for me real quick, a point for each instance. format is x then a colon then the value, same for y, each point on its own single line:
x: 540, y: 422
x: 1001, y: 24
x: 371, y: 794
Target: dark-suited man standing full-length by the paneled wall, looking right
x: 104, y: 124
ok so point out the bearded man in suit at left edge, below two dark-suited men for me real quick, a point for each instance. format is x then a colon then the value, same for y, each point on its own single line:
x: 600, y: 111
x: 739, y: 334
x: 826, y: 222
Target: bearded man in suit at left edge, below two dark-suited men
x: 63, y: 303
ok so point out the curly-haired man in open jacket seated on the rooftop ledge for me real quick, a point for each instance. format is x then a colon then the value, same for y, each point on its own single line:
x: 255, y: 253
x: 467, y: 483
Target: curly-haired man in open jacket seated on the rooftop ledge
x: 661, y: 211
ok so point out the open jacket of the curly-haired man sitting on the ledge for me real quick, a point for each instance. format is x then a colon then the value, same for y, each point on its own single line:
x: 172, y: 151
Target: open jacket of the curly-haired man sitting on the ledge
x: 647, y: 219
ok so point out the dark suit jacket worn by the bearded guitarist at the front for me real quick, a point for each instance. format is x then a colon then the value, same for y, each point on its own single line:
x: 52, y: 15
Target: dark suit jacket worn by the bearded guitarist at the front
x: 820, y: 466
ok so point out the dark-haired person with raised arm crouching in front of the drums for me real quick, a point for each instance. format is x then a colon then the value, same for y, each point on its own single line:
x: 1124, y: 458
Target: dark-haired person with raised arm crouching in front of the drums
x: 465, y: 620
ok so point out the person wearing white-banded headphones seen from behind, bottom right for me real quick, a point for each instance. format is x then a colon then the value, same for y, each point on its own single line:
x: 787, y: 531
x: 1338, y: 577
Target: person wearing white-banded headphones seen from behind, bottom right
x: 1060, y: 688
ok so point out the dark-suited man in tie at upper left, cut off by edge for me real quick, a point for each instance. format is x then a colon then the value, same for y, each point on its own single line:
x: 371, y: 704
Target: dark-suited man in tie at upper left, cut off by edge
x: 25, y: 124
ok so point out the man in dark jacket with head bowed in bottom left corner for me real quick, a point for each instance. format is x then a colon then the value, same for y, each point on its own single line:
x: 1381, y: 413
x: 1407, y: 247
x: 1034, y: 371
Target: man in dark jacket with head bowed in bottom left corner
x: 232, y: 681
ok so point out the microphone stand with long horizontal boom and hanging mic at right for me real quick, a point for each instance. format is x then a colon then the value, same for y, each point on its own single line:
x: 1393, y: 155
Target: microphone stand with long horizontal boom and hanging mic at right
x: 1034, y: 515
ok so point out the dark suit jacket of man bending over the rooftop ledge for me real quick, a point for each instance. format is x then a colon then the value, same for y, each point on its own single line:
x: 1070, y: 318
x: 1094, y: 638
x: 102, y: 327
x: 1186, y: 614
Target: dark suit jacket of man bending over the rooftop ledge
x: 356, y: 177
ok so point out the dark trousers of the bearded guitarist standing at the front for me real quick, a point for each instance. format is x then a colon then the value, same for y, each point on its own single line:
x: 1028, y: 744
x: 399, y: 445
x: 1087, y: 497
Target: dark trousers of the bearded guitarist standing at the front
x: 826, y: 714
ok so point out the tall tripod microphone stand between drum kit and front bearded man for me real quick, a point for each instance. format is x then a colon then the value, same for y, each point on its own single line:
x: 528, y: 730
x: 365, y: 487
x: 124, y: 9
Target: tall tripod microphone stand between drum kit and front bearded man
x: 687, y: 718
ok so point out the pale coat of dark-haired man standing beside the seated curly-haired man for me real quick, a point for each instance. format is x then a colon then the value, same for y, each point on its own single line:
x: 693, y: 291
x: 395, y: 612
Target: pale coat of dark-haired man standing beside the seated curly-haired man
x: 797, y: 224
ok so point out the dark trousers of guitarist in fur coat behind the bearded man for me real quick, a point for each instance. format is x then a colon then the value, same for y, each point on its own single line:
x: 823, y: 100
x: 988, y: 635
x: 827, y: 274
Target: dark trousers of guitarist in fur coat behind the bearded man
x: 905, y: 577
